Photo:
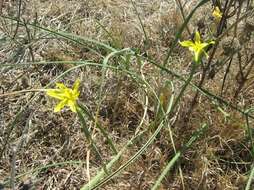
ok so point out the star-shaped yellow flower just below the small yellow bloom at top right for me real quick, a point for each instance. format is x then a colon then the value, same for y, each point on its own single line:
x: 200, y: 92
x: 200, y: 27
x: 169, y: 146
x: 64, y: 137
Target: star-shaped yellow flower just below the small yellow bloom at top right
x: 197, y: 47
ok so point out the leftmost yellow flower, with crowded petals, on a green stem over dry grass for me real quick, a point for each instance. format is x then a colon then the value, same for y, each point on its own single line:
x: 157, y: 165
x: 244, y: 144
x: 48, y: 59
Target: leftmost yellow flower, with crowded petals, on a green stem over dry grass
x: 67, y: 96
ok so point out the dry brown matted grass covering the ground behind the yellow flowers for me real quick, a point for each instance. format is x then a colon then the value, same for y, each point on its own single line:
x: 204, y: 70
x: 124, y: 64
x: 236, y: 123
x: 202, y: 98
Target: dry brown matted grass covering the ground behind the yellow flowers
x: 49, y: 151
